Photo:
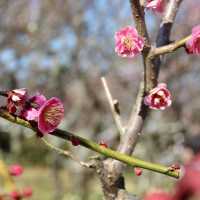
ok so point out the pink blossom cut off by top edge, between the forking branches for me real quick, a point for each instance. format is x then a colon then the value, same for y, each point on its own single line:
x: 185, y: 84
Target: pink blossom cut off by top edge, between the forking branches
x: 156, y: 5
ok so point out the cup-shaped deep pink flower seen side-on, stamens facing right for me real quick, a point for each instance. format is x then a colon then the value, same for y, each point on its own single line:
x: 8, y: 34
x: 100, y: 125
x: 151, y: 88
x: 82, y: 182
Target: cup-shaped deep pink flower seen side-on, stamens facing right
x: 50, y: 115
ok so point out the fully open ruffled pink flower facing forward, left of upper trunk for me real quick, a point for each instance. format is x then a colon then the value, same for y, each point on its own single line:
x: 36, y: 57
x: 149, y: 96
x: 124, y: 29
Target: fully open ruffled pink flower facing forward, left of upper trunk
x: 128, y: 43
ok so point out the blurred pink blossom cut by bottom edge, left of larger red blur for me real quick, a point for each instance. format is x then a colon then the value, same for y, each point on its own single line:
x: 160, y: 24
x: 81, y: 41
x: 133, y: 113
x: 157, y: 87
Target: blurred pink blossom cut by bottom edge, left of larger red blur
x: 158, y: 195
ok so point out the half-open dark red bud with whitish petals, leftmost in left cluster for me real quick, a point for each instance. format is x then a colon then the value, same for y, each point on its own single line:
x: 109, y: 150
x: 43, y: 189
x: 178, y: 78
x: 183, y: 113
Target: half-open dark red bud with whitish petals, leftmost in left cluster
x: 16, y: 100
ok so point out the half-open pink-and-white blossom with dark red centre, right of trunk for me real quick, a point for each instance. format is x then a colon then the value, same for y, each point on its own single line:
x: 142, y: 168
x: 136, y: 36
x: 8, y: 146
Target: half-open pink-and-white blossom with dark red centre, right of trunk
x: 158, y: 98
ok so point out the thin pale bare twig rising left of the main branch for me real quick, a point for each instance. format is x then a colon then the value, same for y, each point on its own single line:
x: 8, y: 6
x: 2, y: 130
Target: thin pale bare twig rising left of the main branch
x: 115, y: 112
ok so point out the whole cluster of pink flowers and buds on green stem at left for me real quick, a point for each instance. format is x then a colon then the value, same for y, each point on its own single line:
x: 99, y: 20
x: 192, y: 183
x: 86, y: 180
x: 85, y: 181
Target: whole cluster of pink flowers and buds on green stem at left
x: 48, y: 113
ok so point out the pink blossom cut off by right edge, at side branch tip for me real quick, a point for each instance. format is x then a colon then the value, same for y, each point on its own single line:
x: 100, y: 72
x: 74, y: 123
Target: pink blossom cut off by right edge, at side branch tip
x: 193, y: 44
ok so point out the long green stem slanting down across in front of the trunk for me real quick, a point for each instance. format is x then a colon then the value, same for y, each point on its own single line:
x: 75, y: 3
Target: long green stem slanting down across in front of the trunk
x: 132, y: 161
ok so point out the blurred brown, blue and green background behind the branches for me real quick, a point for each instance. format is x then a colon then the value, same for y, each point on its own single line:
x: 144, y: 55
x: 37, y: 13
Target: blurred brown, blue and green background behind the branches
x: 62, y: 48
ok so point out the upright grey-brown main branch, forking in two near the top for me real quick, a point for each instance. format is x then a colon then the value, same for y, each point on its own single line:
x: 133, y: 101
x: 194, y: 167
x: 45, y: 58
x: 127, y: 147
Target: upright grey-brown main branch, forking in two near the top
x: 111, y: 177
